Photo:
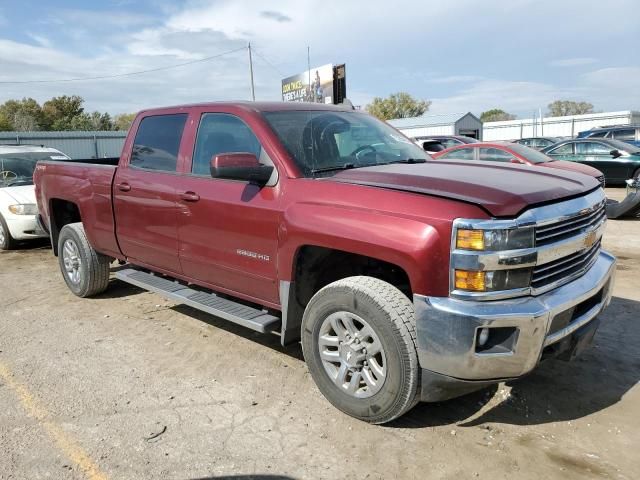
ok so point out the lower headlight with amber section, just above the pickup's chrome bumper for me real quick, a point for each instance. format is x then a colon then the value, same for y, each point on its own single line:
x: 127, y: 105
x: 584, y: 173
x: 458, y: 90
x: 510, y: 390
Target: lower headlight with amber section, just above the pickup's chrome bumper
x: 491, y: 281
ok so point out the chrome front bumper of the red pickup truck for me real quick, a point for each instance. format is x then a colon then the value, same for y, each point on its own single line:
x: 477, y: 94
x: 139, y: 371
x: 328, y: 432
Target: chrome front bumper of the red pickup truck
x: 447, y: 328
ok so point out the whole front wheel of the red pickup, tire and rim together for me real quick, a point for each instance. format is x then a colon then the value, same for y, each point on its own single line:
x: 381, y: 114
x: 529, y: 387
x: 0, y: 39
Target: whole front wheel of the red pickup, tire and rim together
x: 359, y: 342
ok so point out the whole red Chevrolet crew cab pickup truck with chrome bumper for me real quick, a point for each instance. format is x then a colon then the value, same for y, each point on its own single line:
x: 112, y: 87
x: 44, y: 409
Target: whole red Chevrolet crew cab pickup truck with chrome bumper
x: 405, y: 280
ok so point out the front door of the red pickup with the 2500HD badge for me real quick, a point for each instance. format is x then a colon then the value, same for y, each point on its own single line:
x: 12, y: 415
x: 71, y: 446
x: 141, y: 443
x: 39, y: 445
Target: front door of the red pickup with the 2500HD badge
x: 228, y: 229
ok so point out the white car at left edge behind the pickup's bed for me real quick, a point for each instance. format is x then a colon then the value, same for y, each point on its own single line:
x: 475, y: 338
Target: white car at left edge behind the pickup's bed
x: 18, y: 209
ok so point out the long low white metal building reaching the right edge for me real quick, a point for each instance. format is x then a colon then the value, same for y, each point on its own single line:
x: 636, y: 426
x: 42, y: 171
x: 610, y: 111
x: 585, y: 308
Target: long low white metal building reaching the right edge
x: 568, y: 126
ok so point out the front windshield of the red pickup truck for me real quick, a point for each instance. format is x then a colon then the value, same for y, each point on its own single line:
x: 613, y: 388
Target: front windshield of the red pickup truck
x: 320, y: 140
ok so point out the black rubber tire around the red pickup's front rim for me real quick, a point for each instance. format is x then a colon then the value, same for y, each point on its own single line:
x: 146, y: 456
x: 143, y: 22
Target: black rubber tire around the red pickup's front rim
x: 391, y: 315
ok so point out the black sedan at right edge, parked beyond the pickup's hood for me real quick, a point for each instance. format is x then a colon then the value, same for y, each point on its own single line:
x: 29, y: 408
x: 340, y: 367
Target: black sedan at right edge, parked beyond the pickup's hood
x: 617, y: 160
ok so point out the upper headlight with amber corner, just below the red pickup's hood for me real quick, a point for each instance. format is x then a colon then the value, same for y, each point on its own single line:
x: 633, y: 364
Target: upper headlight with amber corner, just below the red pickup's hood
x: 494, y: 240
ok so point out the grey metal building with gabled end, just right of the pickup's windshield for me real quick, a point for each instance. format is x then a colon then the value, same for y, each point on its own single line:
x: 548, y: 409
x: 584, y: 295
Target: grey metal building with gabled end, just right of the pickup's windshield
x: 444, y: 124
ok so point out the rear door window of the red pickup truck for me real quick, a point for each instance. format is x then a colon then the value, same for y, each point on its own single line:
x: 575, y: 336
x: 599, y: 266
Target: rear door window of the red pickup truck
x: 157, y: 142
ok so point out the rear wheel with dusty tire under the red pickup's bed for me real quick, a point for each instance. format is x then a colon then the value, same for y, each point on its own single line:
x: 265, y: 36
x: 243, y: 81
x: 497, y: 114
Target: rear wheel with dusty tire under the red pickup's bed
x: 93, y: 267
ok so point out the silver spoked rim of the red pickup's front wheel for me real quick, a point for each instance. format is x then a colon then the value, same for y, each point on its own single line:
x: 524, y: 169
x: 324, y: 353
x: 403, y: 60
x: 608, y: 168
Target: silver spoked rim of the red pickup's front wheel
x: 352, y: 354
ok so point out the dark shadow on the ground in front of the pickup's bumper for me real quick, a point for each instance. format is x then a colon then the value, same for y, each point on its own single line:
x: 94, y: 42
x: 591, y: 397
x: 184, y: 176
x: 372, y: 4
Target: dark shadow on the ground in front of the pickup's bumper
x: 556, y: 390
